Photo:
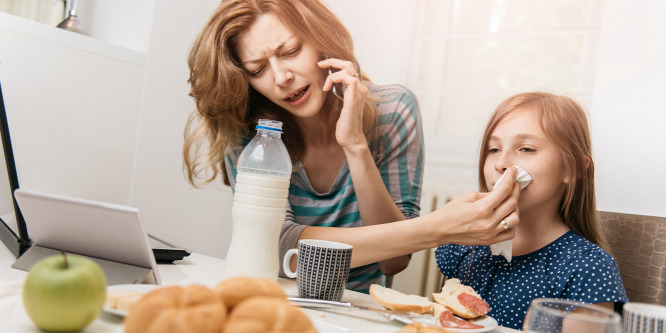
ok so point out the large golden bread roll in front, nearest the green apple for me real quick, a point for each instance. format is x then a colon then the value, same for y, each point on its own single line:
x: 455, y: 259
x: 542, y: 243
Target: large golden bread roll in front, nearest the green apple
x: 192, y: 309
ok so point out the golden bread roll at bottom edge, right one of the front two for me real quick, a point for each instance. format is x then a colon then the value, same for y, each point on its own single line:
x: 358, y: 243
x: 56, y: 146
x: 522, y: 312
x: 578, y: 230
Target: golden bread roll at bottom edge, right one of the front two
x: 262, y: 314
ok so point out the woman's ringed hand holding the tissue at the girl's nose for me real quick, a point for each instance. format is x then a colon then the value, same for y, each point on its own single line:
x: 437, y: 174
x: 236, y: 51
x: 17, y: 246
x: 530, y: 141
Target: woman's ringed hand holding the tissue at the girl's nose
x: 475, y: 218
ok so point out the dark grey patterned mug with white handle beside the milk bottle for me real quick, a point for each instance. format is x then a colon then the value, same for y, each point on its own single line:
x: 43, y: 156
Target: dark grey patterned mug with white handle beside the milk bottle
x: 322, y: 268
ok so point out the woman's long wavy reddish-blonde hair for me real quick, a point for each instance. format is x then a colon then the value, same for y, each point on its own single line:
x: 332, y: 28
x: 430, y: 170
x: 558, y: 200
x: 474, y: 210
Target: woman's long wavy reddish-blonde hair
x: 227, y: 107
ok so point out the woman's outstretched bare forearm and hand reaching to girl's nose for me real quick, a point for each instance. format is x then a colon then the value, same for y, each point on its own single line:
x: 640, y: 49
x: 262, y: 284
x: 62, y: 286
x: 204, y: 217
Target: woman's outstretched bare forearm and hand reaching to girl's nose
x: 472, y: 219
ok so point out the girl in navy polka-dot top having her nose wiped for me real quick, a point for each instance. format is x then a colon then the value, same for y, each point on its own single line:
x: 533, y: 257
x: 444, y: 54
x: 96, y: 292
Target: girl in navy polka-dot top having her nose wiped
x: 558, y: 249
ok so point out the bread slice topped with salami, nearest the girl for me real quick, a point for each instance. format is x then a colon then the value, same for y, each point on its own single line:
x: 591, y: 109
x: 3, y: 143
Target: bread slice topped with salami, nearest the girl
x: 472, y: 305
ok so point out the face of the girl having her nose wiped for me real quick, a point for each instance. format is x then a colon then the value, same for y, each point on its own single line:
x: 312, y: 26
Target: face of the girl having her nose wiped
x: 519, y: 140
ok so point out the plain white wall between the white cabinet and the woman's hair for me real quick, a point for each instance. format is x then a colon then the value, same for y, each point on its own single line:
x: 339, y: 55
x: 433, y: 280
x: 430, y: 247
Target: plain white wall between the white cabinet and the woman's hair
x: 196, y: 218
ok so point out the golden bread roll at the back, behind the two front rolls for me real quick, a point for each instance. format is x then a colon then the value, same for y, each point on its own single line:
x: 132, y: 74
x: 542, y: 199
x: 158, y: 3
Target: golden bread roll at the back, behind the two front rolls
x: 237, y: 289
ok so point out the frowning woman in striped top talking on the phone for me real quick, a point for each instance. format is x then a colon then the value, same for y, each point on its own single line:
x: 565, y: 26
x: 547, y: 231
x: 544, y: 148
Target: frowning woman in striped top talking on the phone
x: 358, y: 156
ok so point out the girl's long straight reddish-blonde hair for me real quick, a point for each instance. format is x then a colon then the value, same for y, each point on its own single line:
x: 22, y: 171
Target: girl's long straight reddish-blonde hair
x: 564, y: 122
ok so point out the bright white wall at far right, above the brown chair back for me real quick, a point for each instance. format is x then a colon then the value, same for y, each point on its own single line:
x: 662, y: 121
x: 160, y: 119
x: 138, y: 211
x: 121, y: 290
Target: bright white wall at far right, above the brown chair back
x: 629, y: 108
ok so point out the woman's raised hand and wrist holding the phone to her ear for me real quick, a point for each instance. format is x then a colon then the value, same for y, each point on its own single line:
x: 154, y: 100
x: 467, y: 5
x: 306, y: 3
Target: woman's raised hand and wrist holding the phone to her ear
x: 349, y: 128
